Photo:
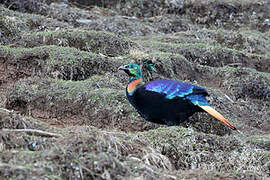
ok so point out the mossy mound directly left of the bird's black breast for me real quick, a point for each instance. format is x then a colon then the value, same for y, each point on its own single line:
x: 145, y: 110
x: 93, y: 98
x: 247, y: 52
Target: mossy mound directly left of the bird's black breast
x: 66, y: 99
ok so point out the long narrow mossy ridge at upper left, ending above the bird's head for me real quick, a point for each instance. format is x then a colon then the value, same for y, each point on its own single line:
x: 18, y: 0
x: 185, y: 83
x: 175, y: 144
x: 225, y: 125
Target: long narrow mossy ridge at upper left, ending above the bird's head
x: 93, y: 41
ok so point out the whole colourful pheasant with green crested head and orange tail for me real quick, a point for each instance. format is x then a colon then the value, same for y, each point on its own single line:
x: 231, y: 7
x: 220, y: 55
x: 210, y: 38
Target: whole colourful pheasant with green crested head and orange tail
x: 167, y: 102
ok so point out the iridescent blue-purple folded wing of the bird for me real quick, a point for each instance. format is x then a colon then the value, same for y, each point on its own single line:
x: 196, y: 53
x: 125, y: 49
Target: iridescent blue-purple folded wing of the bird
x: 174, y: 89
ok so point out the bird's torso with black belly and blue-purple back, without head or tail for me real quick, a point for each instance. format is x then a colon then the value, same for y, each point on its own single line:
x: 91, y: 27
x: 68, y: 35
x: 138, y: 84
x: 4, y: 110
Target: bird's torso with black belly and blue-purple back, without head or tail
x: 157, y: 101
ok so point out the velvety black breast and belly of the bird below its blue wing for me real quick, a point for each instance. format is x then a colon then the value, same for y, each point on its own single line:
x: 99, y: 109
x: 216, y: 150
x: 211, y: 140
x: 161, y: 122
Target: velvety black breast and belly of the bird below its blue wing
x: 154, y: 107
